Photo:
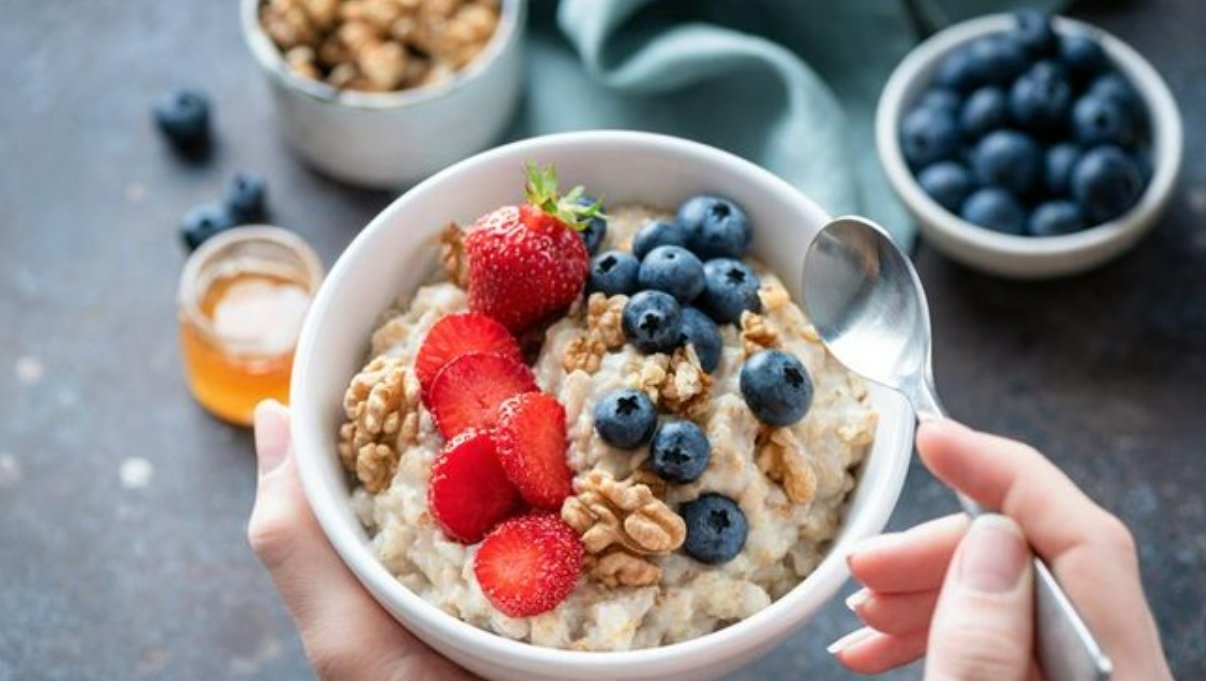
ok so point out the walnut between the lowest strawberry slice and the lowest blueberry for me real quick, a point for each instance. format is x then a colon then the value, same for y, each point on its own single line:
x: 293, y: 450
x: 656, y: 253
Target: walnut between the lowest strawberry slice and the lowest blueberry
x: 623, y: 518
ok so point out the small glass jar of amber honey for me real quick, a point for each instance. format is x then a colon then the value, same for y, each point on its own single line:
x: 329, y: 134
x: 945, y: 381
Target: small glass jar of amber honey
x: 243, y: 300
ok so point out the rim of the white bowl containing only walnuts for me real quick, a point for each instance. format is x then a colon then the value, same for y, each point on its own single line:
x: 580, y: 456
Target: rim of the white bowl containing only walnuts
x: 272, y: 60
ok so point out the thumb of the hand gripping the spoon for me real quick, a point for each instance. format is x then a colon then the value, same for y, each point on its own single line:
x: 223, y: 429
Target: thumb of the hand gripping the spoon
x: 983, y: 624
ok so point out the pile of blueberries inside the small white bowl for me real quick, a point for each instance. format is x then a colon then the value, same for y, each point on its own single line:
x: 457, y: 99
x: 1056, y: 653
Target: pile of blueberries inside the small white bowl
x: 1031, y: 133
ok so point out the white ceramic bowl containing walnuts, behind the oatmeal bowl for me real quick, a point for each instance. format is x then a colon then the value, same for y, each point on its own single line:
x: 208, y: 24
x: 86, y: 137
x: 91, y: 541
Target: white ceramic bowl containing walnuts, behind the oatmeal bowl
x: 394, y: 140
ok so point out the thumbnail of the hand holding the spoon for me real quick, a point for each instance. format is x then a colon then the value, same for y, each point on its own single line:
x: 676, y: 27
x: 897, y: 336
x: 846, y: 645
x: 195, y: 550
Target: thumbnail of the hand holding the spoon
x: 993, y: 556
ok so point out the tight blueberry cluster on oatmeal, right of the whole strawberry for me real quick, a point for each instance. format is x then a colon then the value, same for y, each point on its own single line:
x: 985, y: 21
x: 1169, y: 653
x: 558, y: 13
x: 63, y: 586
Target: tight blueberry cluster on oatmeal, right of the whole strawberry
x: 683, y: 278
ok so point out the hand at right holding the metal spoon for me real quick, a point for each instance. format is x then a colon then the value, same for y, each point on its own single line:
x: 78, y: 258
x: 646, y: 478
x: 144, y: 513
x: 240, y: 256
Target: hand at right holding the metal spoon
x: 962, y: 592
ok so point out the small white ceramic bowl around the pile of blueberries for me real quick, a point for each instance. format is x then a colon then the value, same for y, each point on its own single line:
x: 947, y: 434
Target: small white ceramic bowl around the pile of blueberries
x: 1024, y: 257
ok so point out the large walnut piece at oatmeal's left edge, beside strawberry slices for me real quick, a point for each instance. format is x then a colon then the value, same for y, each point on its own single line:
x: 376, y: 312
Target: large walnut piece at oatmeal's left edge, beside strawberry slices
x: 382, y: 406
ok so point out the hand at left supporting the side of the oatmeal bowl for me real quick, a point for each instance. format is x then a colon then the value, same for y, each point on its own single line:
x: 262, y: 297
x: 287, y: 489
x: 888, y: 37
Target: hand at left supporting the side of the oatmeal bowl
x: 348, y: 637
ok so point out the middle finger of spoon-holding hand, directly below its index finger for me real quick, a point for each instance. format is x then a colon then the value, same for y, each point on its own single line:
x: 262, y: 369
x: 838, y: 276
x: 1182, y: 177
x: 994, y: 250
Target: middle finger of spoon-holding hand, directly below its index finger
x: 910, y: 561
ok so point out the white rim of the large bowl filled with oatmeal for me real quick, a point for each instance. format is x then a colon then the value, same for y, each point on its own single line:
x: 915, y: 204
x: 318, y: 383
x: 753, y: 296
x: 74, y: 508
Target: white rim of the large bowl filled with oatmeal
x: 777, y: 619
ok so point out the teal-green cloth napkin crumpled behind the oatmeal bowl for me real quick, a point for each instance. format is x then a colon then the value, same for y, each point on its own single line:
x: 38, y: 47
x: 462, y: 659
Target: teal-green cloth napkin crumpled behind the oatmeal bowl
x: 791, y: 85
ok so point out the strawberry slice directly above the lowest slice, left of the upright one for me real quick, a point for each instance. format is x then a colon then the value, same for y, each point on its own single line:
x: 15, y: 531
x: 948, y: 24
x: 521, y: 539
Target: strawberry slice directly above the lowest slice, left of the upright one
x: 470, y: 494
